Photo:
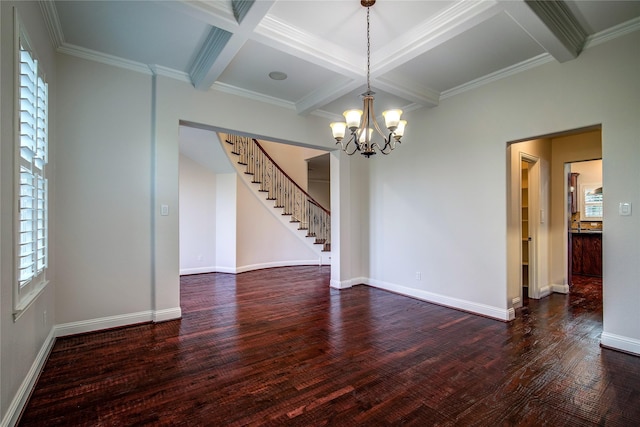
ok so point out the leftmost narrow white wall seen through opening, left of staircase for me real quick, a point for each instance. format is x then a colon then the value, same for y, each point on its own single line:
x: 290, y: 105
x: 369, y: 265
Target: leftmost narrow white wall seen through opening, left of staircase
x: 197, y: 218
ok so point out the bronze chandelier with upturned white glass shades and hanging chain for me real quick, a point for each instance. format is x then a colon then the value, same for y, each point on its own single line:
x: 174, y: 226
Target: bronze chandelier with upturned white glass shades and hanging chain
x: 360, y: 123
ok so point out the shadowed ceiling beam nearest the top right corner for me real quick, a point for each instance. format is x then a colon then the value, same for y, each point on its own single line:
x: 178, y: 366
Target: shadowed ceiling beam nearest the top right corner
x: 551, y: 24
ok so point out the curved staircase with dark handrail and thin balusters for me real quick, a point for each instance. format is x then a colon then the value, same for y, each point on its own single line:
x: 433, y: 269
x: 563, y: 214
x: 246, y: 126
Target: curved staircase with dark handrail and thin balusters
x: 286, y: 194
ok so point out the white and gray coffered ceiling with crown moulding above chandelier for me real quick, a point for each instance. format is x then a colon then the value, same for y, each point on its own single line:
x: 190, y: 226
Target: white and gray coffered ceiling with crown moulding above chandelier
x: 421, y: 51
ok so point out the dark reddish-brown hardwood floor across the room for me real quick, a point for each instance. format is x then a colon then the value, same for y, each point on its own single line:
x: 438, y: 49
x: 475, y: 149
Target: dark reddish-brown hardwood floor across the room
x: 279, y: 347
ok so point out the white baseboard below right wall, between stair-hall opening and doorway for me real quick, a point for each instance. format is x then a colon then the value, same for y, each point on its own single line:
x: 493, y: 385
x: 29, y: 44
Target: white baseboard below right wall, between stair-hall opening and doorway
x: 503, y: 314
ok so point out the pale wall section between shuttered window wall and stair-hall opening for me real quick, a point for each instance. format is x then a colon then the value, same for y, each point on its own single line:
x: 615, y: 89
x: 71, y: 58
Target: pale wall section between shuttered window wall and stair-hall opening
x: 103, y: 183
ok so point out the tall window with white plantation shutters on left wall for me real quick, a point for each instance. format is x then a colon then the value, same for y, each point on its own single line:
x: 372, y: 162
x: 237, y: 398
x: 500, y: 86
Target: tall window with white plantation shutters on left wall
x: 31, y: 177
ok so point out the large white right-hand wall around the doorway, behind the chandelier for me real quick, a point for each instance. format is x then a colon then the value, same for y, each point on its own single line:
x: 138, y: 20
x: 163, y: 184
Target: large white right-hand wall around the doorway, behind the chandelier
x: 438, y: 203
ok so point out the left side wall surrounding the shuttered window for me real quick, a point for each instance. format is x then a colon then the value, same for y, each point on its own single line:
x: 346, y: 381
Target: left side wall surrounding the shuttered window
x: 24, y: 344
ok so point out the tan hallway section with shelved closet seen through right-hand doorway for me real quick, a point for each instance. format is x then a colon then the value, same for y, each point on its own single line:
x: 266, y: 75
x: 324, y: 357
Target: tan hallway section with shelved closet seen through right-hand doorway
x: 542, y: 263
